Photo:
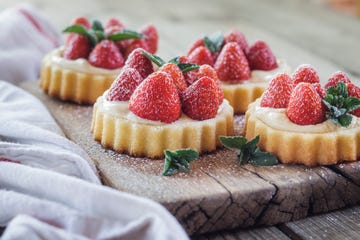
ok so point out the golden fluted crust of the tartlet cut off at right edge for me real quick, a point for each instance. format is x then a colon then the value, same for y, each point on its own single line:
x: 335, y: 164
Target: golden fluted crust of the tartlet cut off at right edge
x: 308, y: 148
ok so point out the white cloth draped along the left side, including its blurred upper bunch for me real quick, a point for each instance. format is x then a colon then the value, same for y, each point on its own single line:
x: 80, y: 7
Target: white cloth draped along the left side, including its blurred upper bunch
x: 52, y: 189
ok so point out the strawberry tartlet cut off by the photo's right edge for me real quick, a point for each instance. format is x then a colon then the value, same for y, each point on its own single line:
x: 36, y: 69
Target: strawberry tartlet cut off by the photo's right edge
x: 307, y: 135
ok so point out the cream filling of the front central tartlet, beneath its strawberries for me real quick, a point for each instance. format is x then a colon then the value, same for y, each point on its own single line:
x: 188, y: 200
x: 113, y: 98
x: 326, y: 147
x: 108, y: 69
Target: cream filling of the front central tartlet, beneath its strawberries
x: 121, y: 109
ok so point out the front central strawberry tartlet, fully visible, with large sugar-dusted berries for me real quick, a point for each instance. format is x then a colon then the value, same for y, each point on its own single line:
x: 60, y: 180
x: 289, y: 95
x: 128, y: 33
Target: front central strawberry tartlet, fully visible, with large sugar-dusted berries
x: 161, y: 113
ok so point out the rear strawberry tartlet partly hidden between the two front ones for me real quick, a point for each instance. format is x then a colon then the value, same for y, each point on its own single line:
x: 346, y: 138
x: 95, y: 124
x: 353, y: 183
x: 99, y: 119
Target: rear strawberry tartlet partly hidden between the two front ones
x: 244, y: 71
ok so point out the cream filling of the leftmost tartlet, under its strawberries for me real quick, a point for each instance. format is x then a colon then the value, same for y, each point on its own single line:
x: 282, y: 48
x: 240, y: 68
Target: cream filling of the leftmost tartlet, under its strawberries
x: 54, y: 58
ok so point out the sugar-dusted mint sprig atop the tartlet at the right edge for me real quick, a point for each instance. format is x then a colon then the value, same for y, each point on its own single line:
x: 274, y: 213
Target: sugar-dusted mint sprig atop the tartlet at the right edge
x: 339, y: 104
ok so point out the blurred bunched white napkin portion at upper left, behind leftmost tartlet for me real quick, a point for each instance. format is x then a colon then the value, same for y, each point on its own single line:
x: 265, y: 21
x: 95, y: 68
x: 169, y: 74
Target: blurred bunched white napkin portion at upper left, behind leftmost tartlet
x: 25, y: 37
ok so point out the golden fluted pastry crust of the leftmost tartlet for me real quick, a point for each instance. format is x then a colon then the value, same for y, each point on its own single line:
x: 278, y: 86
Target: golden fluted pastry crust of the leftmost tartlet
x: 80, y: 86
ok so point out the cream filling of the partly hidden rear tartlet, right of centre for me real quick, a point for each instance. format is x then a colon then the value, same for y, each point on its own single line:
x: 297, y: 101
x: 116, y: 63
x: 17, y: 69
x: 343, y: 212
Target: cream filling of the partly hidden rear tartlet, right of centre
x: 260, y: 76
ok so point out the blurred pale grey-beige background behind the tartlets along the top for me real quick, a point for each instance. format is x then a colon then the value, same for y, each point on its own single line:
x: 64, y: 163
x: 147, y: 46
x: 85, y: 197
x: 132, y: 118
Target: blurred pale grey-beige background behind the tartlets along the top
x: 326, y: 30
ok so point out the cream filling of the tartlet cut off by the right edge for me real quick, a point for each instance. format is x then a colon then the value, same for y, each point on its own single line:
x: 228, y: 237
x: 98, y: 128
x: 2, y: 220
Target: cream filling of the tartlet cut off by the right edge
x: 276, y: 118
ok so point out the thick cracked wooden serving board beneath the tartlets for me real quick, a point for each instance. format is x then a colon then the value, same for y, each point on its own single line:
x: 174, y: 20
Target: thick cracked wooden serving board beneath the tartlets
x: 218, y: 193
